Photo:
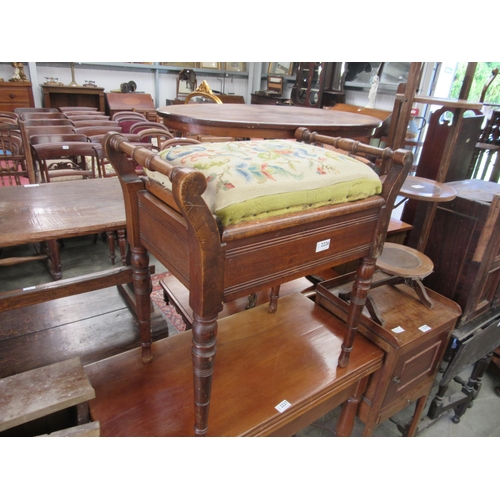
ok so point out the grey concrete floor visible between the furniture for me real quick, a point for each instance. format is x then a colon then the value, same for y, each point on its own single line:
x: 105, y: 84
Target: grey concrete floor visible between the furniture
x: 83, y: 255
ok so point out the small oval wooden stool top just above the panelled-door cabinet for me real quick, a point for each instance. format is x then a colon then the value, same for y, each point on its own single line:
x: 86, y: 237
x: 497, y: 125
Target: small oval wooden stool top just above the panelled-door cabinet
x: 400, y: 260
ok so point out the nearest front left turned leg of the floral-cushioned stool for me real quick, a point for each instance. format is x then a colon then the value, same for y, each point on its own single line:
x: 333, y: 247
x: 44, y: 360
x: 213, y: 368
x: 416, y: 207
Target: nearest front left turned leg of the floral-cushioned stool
x: 203, y: 353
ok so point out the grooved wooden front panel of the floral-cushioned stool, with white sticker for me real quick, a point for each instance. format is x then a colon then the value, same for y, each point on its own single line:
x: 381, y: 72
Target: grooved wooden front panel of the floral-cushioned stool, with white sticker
x: 282, y: 255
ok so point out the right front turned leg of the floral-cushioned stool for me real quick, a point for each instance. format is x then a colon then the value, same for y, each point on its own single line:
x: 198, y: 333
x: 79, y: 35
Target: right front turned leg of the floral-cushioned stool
x: 360, y: 290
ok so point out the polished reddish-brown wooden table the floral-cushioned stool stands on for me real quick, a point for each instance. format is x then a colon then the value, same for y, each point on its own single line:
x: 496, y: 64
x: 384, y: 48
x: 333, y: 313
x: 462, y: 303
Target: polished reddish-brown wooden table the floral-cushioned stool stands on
x: 291, y: 356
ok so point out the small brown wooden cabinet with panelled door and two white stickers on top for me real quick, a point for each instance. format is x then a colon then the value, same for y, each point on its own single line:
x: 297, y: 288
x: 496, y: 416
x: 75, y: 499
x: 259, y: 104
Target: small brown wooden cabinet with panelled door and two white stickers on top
x: 413, y: 337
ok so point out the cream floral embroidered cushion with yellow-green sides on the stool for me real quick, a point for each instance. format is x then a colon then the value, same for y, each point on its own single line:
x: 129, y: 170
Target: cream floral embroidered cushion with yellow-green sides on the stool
x: 249, y: 180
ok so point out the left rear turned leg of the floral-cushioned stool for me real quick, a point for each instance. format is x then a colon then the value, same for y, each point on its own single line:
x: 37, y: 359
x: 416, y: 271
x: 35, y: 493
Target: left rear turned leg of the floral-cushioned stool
x: 141, y: 280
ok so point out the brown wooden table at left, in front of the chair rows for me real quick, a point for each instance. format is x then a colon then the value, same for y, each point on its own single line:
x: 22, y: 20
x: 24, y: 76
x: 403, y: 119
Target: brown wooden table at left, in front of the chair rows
x: 48, y: 212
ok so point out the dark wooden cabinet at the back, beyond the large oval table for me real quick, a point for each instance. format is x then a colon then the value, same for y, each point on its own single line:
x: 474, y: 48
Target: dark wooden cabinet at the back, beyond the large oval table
x: 318, y: 84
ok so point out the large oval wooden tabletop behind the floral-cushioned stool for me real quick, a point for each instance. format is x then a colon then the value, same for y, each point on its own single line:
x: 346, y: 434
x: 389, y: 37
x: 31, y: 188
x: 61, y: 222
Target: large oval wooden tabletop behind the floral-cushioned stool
x: 261, y: 121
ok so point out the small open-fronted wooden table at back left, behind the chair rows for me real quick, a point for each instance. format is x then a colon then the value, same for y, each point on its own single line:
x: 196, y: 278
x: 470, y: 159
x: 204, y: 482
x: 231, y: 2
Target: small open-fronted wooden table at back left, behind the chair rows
x: 55, y: 96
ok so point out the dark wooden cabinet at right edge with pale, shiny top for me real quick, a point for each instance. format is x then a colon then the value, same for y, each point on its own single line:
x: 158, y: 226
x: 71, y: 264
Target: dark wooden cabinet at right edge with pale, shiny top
x: 464, y: 244
